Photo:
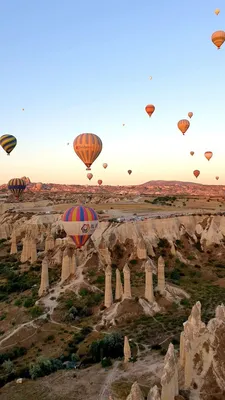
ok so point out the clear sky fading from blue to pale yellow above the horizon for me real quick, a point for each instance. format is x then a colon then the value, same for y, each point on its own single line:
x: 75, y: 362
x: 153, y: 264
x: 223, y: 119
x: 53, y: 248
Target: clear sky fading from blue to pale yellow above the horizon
x: 84, y: 66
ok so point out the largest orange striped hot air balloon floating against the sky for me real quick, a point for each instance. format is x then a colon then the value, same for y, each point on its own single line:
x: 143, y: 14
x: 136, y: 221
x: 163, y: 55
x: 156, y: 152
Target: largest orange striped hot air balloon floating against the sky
x: 88, y: 147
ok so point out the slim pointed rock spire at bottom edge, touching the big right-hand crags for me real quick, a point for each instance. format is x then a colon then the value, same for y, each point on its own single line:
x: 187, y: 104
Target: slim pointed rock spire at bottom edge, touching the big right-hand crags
x: 169, y: 379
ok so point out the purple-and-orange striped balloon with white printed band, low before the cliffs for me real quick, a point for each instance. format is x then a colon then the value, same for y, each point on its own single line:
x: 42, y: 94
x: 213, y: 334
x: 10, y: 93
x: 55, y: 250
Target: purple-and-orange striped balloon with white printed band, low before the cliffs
x: 80, y: 223
